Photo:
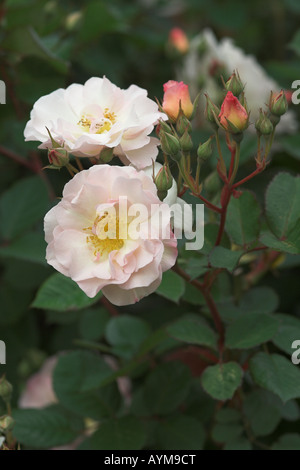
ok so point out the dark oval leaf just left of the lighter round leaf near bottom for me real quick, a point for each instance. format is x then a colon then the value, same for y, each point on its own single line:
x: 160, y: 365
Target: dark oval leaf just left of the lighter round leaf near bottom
x: 166, y: 387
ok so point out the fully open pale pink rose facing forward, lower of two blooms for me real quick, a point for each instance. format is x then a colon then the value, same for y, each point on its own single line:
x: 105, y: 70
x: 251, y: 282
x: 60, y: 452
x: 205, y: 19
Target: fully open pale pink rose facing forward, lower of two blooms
x: 126, y: 269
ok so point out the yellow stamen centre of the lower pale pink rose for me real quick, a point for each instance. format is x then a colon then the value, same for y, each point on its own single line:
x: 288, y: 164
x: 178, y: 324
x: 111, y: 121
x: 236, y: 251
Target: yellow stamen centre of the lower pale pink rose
x: 104, y: 235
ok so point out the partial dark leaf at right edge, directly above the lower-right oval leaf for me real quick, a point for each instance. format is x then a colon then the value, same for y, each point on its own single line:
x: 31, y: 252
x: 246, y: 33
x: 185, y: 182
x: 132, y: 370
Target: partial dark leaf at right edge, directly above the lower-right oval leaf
x: 288, y: 332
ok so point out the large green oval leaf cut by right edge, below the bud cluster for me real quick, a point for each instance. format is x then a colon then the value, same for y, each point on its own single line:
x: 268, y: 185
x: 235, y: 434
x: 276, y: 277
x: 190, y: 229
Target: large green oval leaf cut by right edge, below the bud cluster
x: 283, y: 204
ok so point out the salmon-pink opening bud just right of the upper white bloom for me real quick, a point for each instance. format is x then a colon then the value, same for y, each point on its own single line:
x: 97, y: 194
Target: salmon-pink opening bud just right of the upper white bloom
x: 176, y: 94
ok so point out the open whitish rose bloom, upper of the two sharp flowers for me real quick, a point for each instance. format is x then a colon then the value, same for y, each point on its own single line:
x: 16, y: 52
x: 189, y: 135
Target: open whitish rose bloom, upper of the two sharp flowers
x: 87, y: 118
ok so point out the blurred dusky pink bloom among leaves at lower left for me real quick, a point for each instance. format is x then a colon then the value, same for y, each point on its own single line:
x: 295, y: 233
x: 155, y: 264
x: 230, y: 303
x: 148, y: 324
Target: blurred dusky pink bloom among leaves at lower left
x: 39, y: 391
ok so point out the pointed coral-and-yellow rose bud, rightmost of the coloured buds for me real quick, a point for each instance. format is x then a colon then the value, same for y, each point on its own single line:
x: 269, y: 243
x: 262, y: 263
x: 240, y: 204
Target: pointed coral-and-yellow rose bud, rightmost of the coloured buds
x: 233, y: 116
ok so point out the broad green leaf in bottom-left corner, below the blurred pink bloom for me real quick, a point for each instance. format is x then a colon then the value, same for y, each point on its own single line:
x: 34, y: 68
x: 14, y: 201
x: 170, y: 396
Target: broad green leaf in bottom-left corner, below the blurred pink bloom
x: 46, y: 428
